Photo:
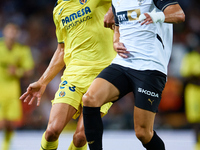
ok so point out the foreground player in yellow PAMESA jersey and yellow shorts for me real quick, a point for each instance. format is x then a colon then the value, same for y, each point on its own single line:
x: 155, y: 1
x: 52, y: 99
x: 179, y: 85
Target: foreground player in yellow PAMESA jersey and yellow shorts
x: 84, y: 49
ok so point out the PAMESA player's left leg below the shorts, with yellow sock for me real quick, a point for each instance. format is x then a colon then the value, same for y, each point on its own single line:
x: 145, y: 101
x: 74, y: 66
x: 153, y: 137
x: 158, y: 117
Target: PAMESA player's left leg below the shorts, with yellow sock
x: 61, y: 114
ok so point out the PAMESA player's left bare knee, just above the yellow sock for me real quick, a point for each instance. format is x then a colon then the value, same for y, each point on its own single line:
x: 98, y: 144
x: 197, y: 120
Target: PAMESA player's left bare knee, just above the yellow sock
x: 51, y: 134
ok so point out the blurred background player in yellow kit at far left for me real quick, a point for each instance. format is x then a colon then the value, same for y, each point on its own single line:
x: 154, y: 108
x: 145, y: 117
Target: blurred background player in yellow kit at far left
x: 15, y: 61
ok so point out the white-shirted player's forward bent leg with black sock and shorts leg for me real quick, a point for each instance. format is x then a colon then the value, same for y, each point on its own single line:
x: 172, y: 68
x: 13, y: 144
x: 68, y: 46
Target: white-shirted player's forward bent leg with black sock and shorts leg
x: 110, y: 85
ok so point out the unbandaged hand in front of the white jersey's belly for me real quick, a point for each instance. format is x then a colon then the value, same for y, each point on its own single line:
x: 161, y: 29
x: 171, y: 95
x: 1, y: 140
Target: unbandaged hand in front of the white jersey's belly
x: 121, y: 49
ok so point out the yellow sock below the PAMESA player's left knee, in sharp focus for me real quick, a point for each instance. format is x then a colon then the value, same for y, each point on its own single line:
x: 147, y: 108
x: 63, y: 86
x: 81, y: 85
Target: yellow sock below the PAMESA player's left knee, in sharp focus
x: 45, y: 145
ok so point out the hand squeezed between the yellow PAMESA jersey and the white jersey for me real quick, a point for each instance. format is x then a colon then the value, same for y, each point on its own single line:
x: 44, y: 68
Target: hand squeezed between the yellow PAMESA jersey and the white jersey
x: 109, y: 21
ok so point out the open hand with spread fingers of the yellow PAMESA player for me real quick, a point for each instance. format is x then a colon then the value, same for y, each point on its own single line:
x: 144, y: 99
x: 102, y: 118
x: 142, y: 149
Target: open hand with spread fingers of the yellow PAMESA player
x: 34, y: 91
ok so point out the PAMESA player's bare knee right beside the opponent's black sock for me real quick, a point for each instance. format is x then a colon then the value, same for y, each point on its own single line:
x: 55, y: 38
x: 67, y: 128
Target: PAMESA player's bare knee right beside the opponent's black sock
x: 79, y: 139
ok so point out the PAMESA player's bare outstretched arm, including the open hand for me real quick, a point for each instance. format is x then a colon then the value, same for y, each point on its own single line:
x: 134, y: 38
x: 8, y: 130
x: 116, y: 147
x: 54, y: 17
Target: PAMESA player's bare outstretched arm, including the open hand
x: 36, y: 89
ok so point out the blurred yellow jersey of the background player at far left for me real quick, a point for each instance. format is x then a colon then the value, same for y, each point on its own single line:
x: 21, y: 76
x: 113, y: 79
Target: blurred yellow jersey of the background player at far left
x: 19, y: 56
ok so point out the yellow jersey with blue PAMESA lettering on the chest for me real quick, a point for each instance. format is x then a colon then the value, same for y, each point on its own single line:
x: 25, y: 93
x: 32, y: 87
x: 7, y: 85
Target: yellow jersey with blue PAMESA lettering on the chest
x: 88, y: 44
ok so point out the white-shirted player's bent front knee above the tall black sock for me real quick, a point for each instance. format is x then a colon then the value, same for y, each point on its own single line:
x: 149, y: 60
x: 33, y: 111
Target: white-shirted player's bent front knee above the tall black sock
x: 90, y: 100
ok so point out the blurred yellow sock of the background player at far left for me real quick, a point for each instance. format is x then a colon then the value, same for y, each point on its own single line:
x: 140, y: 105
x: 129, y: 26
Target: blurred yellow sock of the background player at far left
x: 7, y: 140
